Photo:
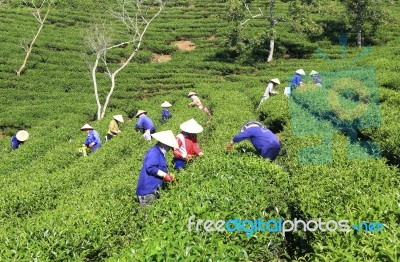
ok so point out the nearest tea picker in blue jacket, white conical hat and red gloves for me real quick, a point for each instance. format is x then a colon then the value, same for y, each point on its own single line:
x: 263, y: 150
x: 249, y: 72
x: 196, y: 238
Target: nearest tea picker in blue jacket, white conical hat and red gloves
x: 154, y: 169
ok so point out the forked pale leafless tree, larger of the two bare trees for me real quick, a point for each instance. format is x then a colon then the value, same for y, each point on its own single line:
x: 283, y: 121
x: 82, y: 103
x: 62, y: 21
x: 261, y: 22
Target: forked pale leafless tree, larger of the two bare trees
x: 136, y: 15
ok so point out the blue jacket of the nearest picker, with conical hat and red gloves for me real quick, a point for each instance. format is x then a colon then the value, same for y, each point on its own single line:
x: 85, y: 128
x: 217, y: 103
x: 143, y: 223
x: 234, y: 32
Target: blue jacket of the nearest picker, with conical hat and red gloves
x: 148, y: 180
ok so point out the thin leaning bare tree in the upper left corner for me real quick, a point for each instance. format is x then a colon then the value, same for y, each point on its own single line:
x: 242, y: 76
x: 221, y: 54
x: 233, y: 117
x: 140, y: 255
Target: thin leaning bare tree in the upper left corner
x: 36, y: 10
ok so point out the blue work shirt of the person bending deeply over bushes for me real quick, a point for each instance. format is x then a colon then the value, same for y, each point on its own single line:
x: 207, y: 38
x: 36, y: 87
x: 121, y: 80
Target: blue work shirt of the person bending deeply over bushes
x: 261, y: 138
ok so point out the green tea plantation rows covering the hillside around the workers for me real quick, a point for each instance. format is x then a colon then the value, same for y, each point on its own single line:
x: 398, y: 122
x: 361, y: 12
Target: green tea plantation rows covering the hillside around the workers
x: 56, y: 205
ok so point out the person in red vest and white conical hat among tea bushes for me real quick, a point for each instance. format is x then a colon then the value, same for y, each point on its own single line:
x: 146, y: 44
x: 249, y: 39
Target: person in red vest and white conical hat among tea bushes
x: 187, y: 142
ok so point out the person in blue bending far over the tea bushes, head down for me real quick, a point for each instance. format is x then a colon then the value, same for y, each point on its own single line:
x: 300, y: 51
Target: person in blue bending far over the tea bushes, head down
x: 266, y: 143
